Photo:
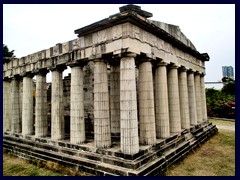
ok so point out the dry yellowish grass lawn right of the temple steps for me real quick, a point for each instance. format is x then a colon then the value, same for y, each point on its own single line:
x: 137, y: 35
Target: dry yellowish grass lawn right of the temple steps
x: 216, y: 157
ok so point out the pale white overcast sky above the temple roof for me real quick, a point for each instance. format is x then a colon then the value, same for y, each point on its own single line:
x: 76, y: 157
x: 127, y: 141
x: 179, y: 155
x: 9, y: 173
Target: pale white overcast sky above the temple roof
x: 211, y: 27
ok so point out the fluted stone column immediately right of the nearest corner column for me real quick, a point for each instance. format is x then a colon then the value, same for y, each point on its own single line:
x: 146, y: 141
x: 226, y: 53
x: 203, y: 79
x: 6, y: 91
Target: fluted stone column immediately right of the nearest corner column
x: 146, y: 103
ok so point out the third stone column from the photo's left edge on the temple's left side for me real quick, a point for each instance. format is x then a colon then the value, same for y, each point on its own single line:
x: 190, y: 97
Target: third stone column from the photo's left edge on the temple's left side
x: 27, y: 106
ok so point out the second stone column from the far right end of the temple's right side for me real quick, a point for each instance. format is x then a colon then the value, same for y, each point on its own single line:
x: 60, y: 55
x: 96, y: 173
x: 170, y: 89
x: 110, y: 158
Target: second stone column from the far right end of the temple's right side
x: 198, y: 95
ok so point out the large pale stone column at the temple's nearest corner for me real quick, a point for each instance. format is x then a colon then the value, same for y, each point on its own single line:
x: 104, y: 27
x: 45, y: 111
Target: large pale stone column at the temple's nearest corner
x: 128, y: 106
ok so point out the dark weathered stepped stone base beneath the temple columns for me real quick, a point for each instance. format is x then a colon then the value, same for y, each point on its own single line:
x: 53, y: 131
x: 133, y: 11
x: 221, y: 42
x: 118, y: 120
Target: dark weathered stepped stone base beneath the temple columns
x: 150, y: 161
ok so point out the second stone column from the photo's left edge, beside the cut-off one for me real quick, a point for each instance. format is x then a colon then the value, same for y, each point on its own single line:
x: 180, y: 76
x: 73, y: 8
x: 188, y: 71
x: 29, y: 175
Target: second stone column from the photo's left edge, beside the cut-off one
x: 15, y: 114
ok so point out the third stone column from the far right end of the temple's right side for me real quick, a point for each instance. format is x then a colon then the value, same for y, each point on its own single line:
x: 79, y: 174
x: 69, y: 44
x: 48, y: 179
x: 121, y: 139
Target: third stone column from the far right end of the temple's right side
x: 192, y: 98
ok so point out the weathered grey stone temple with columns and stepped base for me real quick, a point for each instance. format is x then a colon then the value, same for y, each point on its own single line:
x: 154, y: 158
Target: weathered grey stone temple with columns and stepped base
x: 133, y: 104
